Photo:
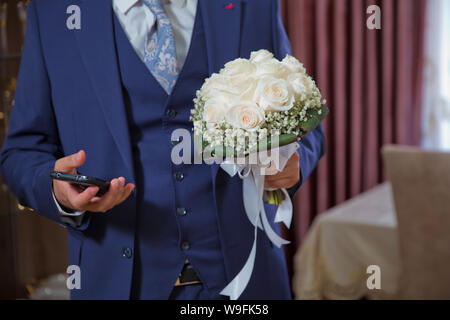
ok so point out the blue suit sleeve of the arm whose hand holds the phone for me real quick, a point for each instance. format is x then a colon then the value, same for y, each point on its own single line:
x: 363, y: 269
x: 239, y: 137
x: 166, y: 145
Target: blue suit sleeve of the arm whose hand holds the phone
x: 32, y: 143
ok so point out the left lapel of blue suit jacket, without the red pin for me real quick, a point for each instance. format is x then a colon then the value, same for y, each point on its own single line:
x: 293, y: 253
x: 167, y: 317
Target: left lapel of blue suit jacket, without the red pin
x: 97, y: 47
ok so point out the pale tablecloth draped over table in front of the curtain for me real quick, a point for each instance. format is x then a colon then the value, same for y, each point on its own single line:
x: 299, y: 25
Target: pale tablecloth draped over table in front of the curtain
x: 332, y: 261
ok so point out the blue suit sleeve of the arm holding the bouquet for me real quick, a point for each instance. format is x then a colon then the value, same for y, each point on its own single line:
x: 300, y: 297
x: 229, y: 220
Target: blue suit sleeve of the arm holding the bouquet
x: 312, y: 147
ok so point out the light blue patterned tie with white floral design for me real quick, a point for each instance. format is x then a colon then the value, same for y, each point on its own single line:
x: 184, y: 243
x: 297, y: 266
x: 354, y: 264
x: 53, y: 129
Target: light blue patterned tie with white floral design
x: 160, y: 55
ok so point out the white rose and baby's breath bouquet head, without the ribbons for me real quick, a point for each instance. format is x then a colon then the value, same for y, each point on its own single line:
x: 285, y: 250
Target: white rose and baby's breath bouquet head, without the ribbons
x: 250, y: 100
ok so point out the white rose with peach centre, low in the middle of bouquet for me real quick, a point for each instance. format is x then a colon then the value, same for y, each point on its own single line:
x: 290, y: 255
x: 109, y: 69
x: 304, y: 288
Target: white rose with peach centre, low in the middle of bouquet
x: 245, y: 115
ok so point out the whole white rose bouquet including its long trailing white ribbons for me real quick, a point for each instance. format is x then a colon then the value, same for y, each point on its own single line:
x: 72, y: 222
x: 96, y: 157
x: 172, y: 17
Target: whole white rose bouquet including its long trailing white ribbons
x: 250, y: 106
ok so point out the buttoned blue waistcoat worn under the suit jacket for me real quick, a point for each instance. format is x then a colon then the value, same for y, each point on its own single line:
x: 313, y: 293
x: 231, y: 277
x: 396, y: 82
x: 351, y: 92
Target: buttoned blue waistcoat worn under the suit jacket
x: 176, y: 217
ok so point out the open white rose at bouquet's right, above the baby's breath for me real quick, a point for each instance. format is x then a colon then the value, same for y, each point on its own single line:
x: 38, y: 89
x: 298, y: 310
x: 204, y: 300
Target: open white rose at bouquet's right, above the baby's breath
x: 274, y: 95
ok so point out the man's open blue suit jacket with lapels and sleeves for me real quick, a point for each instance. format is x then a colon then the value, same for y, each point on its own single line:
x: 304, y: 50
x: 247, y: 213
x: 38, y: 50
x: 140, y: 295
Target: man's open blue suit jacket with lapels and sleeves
x: 69, y: 98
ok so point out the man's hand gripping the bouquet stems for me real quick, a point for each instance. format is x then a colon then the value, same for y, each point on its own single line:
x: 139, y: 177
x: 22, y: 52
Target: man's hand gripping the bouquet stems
x: 286, y: 178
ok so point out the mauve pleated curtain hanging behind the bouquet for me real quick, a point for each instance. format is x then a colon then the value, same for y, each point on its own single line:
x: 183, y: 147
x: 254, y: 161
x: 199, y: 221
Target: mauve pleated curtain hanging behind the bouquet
x: 372, y: 80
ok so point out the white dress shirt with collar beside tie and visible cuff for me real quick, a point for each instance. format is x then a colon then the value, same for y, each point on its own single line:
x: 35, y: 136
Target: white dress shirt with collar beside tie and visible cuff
x: 137, y: 20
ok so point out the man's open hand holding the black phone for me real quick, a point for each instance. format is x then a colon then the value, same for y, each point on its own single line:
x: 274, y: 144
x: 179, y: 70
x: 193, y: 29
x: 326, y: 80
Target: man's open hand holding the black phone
x: 70, y: 196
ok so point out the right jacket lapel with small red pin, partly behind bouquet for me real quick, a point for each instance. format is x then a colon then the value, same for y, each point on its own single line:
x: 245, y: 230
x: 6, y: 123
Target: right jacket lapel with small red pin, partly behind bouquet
x: 222, y: 25
